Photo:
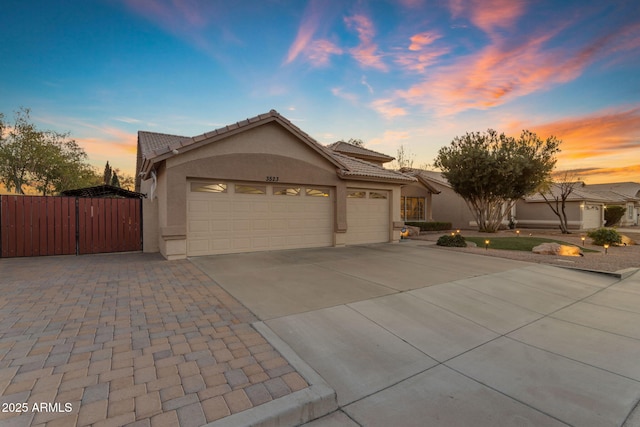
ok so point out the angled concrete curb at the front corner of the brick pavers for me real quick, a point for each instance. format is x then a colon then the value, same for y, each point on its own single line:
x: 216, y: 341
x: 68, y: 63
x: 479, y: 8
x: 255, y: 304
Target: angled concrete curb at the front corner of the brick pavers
x: 292, y: 410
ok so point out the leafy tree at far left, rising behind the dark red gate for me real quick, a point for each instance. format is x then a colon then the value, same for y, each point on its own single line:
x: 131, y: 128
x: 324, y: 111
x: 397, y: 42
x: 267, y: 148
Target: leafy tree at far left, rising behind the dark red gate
x: 47, y: 161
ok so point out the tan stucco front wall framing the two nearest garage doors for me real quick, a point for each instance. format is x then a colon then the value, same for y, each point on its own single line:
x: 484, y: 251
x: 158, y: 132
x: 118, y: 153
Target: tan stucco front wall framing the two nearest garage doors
x: 268, y: 153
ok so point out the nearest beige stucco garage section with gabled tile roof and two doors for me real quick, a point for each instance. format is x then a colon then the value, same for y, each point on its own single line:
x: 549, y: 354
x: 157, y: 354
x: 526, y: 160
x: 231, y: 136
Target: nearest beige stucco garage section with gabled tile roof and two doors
x: 260, y: 184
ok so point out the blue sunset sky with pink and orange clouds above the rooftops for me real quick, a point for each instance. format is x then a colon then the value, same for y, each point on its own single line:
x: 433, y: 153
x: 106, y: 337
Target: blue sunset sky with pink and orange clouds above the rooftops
x: 409, y: 72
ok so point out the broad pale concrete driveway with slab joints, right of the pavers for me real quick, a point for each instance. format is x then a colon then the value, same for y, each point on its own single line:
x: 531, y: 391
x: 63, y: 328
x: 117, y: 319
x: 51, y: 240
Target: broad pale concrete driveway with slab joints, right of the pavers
x: 413, y: 335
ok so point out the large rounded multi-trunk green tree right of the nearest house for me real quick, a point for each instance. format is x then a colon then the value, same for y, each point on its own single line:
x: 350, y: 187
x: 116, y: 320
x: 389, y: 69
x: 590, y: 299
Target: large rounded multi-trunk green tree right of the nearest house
x: 491, y: 171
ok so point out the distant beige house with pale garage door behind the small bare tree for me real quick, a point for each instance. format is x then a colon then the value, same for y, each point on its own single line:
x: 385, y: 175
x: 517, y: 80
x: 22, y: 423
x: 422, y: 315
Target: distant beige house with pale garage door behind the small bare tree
x: 584, y: 209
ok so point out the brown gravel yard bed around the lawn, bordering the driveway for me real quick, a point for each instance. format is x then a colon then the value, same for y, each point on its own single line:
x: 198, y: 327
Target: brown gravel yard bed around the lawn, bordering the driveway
x: 616, y: 259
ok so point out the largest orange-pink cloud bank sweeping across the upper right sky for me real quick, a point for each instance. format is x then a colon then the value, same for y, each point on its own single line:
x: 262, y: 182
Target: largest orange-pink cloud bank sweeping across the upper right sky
x: 504, y: 71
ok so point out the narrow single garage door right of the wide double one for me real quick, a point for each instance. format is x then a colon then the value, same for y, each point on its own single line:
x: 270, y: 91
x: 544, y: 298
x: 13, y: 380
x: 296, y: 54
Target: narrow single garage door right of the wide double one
x: 367, y: 216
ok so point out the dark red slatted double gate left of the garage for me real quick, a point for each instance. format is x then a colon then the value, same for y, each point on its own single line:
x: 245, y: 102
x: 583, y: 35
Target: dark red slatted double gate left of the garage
x: 48, y: 225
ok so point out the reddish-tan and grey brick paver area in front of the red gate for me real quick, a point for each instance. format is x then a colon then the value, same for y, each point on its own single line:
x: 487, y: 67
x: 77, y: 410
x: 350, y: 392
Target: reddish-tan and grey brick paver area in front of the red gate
x: 128, y: 339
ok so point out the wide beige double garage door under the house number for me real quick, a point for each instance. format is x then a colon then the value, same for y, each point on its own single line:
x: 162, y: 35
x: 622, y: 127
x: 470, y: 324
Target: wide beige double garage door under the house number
x: 227, y: 217
